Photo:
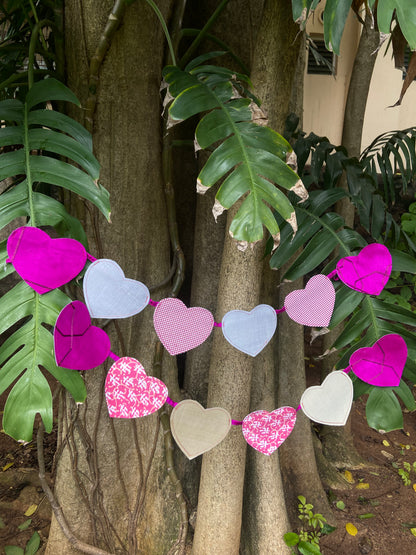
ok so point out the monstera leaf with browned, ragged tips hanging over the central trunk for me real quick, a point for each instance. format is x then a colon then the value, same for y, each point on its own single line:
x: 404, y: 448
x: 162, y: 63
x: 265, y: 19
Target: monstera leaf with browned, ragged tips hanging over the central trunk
x: 250, y: 158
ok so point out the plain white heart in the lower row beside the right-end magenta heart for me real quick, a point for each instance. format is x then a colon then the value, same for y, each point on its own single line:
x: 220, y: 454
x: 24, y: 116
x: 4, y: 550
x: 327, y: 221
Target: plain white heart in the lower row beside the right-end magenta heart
x: 329, y: 403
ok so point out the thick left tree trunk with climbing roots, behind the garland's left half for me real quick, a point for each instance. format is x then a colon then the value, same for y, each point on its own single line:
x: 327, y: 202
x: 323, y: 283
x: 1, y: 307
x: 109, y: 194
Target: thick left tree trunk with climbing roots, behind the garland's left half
x: 112, y: 481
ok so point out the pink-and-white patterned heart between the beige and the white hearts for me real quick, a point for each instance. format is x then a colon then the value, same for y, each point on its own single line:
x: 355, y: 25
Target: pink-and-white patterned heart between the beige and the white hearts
x: 266, y: 431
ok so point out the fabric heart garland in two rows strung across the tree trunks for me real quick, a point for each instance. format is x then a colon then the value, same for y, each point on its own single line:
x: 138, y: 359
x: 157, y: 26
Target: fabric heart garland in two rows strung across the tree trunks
x: 45, y: 264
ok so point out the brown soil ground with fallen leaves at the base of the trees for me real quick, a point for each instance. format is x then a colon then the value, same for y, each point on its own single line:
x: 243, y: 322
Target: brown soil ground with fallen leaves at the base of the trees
x: 377, y: 502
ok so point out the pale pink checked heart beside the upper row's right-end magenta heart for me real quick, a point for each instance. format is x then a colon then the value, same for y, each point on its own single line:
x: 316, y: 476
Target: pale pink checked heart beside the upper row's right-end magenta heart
x: 312, y: 306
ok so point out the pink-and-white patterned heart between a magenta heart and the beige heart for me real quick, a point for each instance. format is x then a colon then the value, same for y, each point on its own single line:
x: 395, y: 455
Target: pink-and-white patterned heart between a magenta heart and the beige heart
x: 130, y: 393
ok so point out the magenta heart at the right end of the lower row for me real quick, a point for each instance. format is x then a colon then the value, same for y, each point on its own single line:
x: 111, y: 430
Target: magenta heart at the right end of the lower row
x: 383, y: 363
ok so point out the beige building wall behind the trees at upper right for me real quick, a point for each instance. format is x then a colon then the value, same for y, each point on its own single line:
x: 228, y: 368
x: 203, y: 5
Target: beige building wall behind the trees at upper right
x: 325, y: 96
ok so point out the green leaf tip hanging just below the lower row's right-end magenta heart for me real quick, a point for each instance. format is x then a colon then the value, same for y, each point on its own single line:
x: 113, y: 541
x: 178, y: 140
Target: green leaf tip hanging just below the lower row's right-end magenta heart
x: 383, y: 410
